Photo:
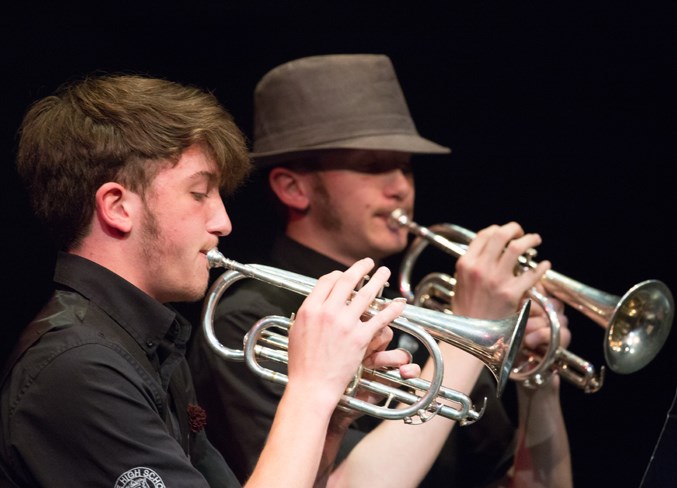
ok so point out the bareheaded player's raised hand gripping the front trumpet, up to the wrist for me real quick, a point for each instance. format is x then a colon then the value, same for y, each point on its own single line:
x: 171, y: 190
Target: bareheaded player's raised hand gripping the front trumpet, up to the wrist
x: 330, y: 339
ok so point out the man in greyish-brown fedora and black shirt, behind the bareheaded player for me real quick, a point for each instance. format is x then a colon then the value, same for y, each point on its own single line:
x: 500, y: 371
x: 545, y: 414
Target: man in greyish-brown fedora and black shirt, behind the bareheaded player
x: 334, y: 136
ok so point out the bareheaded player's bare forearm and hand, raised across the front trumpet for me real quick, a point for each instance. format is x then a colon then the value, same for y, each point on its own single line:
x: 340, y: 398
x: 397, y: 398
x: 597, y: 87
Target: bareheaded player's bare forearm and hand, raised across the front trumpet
x: 328, y: 330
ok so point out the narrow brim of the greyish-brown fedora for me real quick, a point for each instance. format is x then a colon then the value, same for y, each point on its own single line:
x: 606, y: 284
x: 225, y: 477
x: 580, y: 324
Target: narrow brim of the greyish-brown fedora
x: 408, y: 143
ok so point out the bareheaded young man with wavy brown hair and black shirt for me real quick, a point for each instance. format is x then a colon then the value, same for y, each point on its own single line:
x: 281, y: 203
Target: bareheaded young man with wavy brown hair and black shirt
x: 127, y: 173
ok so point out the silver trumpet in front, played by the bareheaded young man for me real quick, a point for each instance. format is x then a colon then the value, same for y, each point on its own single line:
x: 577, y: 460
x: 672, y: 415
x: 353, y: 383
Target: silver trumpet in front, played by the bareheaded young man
x: 495, y: 342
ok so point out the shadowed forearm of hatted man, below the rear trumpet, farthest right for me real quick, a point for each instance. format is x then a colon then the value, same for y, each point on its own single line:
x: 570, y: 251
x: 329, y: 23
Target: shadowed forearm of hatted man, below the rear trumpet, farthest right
x: 543, y: 458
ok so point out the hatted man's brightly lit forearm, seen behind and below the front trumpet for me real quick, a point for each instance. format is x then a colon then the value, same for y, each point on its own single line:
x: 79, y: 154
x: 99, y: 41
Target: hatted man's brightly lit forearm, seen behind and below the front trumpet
x: 399, y: 455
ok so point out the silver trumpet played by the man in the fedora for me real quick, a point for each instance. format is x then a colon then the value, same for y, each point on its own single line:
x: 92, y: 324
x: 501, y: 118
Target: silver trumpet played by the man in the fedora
x: 637, y: 324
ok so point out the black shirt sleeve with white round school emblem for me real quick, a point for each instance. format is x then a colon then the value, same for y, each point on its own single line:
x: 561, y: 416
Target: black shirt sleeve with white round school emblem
x: 87, y: 419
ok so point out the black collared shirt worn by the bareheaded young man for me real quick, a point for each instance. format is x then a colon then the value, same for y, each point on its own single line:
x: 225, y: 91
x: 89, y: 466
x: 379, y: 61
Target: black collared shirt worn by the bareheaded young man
x: 98, y: 394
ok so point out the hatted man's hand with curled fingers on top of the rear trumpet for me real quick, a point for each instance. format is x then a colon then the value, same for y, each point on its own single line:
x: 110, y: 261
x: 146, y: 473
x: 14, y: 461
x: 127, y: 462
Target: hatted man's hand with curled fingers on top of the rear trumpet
x: 487, y: 286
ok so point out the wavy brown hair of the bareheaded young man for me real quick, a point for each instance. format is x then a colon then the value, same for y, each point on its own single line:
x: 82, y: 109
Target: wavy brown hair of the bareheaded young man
x: 119, y: 128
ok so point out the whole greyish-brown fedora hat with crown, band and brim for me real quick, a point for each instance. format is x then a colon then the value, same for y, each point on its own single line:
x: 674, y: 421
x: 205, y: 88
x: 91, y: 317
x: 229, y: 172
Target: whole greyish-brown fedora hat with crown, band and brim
x: 340, y: 101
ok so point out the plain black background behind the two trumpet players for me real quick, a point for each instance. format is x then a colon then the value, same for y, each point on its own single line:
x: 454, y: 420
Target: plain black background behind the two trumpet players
x: 560, y: 116
